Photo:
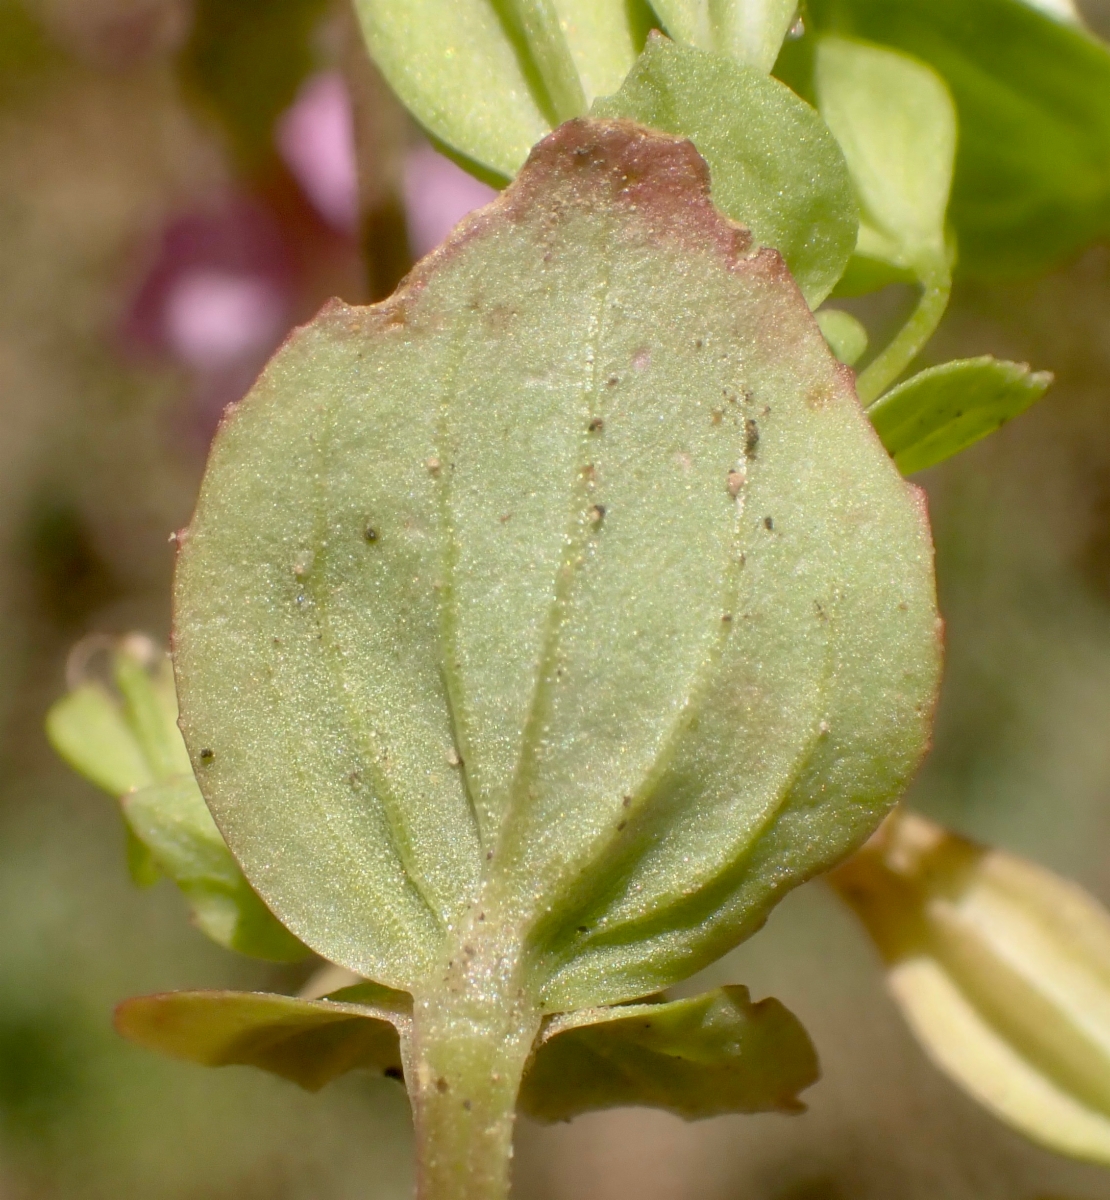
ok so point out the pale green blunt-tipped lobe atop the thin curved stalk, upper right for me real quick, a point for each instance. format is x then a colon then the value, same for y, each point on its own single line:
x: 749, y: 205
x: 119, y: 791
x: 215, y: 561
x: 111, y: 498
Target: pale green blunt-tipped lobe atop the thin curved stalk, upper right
x: 896, y: 124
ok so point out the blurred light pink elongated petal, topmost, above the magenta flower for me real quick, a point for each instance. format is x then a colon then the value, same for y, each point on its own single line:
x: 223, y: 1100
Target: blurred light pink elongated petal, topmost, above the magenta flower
x: 316, y: 140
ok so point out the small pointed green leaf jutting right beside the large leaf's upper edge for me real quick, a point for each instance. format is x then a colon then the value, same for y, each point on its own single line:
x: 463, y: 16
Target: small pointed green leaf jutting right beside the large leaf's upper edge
x: 945, y: 410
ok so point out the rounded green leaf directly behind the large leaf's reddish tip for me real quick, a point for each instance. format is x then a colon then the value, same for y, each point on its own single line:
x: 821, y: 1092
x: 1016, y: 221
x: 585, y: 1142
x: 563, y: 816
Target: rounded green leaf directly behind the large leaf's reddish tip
x: 775, y: 166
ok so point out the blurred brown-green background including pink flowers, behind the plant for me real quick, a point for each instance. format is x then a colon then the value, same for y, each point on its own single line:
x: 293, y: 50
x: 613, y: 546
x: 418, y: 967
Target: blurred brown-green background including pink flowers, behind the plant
x: 178, y: 187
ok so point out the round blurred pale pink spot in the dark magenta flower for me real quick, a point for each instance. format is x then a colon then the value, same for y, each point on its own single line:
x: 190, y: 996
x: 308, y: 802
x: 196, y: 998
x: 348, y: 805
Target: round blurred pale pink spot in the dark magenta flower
x: 214, y: 319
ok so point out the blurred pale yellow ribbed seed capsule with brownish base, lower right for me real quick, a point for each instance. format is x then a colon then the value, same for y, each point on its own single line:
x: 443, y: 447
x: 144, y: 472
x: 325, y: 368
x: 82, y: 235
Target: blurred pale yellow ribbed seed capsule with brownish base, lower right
x: 1003, y: 971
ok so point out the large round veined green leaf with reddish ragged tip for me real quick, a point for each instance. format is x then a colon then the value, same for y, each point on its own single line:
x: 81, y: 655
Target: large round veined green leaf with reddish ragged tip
x: 562, y: 611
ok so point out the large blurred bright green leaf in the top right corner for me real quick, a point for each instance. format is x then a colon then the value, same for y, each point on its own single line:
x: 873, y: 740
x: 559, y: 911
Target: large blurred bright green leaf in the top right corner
x: 1033, y: 93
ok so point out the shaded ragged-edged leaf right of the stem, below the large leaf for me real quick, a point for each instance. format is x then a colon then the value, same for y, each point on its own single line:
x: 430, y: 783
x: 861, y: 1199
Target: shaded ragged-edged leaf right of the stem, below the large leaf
x: 697, y: 1058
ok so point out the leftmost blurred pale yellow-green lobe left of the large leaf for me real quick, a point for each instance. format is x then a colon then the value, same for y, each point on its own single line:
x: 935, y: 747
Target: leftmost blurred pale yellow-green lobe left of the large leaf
x: 88, y: 730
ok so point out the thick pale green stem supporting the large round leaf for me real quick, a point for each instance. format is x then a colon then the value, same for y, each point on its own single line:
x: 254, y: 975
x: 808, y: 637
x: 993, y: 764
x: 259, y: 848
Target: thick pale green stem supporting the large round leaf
x: 471, y: 1041
